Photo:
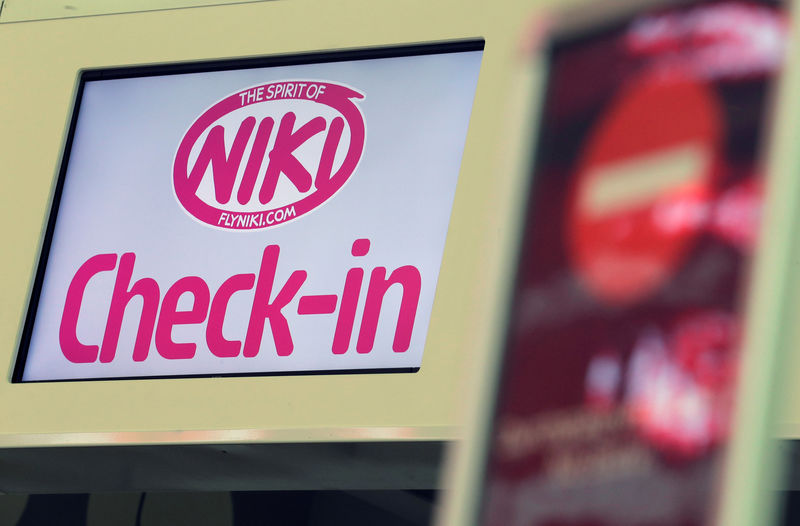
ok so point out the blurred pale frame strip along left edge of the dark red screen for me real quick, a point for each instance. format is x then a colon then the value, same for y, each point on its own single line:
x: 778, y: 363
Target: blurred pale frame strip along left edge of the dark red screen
x: 463, y: 468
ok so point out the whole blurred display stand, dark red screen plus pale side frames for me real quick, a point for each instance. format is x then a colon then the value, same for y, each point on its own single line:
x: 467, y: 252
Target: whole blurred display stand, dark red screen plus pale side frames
x: 655, y: 436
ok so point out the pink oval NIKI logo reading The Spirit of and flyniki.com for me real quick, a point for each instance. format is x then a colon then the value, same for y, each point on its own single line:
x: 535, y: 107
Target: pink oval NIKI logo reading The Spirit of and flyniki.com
x: 269, y: 154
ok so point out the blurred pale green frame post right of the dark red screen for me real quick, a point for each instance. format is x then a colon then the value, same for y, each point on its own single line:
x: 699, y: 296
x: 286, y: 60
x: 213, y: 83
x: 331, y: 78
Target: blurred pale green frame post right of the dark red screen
x: 755, y: 469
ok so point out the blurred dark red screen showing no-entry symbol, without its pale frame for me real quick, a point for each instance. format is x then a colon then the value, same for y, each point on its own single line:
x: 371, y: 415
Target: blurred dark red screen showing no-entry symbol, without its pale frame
x: 622, y: 349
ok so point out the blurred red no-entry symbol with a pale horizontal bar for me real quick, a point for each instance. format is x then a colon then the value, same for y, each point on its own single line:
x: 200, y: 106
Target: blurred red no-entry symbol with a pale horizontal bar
x: 644, y: 186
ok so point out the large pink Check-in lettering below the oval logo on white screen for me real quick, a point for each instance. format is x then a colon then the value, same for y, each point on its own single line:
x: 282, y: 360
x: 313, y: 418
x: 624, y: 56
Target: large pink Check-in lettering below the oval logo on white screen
x: 158, y: 317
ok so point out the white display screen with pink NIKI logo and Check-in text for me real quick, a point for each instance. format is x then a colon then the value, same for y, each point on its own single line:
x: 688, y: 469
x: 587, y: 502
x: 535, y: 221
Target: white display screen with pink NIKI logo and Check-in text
x: 250, y: 218
